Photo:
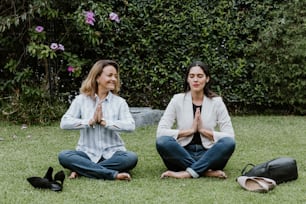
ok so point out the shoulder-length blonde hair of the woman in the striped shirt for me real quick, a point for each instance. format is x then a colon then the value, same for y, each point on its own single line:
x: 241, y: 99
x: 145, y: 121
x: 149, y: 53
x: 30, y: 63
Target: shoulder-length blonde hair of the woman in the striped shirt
x: 90, y: 86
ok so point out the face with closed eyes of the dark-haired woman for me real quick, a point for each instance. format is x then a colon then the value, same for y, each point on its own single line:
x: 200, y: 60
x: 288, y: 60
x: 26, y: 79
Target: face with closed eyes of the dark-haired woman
x: 197, y: 79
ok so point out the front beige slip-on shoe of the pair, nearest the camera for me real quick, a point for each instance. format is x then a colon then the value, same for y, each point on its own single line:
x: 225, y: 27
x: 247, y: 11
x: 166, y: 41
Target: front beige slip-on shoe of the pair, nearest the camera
x: 253, y: 185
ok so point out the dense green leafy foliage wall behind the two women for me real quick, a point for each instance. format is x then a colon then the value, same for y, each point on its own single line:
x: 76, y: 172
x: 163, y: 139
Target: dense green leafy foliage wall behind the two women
x: 256, y: 51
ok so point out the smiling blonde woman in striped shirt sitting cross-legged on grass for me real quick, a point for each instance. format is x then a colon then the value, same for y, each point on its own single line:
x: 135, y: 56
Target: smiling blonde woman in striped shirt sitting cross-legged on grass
x: 100, y: 114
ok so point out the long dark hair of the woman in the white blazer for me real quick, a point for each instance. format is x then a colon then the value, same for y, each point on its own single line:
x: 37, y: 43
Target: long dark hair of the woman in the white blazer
x: 205, y: 68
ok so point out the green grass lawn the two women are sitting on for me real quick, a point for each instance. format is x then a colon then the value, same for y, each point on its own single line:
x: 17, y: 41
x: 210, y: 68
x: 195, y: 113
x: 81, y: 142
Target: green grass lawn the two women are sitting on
x: 259, y: 138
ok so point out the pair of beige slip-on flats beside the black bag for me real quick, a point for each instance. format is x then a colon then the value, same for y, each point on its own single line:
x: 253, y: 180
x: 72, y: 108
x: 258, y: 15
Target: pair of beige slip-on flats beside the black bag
x: 256, y: 184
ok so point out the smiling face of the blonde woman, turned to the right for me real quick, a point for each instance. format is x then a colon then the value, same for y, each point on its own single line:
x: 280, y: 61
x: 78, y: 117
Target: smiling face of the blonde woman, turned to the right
x: 108, y: 79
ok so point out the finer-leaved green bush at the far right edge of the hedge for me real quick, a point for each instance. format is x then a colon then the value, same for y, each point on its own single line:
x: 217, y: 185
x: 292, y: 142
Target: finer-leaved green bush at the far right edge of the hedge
x: 280, y: 56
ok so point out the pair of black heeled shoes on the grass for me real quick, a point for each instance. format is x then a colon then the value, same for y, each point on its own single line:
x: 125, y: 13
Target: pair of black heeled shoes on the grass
x: 47, y: 182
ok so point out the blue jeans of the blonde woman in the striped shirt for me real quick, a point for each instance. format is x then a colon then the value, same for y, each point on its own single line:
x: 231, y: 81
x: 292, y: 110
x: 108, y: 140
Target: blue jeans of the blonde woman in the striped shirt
x: 78, y: 161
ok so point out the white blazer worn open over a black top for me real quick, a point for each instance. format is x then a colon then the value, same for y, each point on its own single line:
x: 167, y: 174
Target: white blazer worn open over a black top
x: 179, y: 113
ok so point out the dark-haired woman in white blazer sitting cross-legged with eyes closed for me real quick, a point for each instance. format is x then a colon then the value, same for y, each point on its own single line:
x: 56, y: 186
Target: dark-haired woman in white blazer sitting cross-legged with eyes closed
x: 202, y: 141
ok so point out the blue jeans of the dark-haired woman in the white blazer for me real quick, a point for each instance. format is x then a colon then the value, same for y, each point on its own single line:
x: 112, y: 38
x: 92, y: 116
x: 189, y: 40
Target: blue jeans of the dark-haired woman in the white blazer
x: 194, y: 158
